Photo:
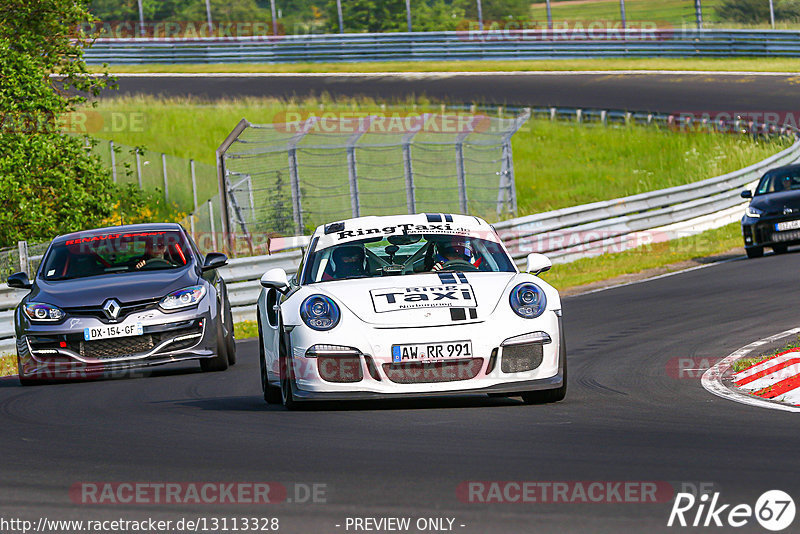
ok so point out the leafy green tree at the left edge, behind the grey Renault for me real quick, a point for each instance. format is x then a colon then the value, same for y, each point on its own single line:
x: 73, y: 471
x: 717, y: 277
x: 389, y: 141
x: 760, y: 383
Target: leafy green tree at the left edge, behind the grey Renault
x: 49, y: 182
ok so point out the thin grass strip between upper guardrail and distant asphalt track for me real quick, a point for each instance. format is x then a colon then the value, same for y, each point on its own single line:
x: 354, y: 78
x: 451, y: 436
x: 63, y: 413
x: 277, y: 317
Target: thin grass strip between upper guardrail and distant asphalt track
x: 691, y: 64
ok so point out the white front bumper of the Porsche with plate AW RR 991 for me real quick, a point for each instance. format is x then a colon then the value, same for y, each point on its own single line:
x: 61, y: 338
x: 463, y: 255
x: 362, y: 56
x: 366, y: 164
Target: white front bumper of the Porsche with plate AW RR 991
x: 373, y: 375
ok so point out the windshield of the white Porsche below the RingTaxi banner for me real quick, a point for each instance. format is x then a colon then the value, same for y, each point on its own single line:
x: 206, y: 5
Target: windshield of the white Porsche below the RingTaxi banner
x: 406, y: 254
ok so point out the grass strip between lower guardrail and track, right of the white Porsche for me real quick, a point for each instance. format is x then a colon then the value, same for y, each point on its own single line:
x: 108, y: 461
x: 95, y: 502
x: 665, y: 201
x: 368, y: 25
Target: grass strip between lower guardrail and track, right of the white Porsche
x: 587, y: 270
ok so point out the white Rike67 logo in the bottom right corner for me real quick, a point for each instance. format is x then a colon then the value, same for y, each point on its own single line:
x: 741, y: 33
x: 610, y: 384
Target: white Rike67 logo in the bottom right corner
x: 774, y: 510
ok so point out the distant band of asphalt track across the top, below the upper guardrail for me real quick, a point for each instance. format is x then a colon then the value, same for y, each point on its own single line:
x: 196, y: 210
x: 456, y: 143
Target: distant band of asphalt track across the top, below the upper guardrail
x: 669, y: 93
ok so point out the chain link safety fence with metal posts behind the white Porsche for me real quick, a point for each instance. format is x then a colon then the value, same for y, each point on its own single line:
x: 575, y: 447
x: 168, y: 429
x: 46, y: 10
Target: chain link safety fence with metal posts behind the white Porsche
x: 286, y: 178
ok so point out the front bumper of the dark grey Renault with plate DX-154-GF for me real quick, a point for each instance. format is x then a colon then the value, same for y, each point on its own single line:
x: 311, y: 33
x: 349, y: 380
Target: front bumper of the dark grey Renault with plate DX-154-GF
x: 60, y: 351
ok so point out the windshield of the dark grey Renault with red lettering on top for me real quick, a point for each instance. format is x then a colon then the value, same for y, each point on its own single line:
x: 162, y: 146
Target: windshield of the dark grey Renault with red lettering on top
x: 97, y: 254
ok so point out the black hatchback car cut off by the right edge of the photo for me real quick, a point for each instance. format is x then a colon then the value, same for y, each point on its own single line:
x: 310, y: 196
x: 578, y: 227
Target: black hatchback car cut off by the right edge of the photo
x: 773, y: 217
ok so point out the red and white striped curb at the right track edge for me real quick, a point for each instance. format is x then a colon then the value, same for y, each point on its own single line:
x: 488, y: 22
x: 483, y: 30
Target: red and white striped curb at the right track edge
x: 773, y: 383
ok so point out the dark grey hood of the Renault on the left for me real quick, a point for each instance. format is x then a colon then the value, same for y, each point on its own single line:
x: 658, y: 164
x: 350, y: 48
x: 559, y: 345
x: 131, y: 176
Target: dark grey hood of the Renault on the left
x: 125, y: 287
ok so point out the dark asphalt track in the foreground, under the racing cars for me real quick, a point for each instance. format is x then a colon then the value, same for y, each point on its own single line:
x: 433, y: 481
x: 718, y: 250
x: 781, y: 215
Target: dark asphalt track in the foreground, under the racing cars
x: 625, y: 419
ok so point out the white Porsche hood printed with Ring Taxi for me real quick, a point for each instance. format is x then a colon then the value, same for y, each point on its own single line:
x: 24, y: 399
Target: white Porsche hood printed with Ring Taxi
x: 421, y: 299
